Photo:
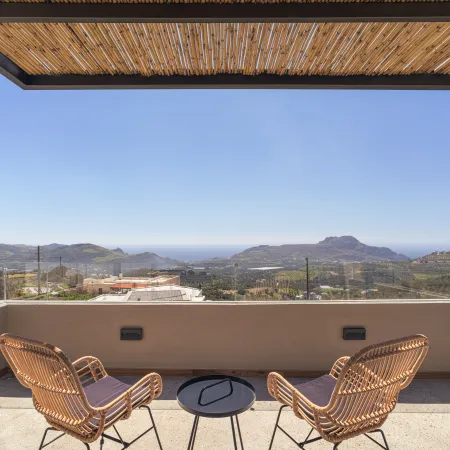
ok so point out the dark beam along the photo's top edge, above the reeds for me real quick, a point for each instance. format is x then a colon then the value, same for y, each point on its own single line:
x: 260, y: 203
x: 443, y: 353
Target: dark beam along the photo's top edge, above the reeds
x: 425, y: 11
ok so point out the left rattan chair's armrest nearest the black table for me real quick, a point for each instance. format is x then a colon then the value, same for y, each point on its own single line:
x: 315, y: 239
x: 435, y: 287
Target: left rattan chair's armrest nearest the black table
x: 144, y: 391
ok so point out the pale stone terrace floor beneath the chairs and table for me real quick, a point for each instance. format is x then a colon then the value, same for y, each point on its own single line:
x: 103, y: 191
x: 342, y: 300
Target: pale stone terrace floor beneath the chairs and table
x: 420, y: 421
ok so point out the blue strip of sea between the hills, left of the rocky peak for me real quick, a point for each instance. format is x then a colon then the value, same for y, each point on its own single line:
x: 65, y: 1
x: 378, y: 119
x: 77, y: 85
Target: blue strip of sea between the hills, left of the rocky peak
x: 188, y: 253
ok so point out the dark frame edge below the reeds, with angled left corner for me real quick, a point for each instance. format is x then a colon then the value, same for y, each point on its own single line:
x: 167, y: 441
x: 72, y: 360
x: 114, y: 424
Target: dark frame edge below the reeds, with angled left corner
x: 60, y: 82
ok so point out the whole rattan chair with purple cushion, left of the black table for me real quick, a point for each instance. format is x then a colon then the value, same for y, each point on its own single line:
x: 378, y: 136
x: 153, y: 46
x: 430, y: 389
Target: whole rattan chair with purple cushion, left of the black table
x: 80, y: 399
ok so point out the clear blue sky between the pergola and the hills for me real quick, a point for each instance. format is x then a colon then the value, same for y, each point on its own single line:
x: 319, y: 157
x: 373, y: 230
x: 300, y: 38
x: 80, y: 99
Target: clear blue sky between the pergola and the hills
x: 224, y: 167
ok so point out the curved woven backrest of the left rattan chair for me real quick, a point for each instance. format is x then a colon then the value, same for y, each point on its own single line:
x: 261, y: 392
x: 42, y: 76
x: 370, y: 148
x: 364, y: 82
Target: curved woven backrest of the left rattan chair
x: 46, y: 370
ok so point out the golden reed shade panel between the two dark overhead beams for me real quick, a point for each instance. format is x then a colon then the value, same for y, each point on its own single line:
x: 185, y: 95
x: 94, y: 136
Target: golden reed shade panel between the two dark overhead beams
x: 209, y: 49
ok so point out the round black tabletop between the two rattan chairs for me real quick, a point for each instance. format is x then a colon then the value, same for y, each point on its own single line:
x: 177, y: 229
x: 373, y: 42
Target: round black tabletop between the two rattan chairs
x: 216, y: 396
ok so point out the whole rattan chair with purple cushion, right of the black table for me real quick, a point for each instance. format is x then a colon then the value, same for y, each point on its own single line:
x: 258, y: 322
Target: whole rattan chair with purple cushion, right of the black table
x: 358, y: 394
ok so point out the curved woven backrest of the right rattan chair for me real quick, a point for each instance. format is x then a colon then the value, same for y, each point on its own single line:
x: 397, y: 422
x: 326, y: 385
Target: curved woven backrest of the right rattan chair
x: 368, y: 386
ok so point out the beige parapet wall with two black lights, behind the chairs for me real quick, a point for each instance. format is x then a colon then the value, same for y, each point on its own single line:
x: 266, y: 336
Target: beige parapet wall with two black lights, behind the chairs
x: 223, y: 336
